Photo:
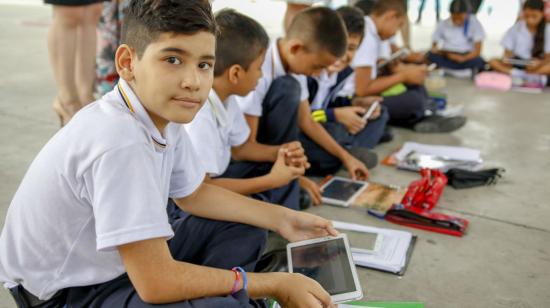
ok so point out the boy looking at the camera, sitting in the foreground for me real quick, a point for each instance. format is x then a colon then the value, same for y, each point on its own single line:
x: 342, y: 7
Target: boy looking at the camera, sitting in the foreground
x: 88, y: 225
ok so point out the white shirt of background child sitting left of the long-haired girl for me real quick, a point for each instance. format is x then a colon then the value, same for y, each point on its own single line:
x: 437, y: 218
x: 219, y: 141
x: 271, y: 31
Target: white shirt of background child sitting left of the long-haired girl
x: 451, y: 37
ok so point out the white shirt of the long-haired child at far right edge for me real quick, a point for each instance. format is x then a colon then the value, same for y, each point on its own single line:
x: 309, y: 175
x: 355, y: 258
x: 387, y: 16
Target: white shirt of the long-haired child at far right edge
x: 521, y: 41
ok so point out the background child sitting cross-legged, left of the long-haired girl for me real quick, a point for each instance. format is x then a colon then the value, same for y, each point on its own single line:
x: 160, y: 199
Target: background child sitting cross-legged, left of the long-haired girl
x: 458, y: 40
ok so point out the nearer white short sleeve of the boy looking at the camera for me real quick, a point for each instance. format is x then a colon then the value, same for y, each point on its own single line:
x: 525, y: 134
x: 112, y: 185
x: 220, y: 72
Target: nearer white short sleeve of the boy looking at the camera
x: 127, y: 201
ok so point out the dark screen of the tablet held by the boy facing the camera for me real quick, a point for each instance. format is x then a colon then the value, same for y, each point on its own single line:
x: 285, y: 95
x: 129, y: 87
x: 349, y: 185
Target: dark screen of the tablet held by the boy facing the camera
x: 327, y: 263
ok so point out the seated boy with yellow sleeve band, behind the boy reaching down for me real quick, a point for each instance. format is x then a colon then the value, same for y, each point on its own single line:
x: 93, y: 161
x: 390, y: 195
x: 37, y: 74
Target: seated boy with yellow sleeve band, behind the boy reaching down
x: 342, y: 117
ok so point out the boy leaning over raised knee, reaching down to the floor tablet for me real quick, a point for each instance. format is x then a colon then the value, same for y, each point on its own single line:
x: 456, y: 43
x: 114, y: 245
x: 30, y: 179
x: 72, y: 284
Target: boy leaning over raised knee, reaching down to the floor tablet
x: 278, y: 107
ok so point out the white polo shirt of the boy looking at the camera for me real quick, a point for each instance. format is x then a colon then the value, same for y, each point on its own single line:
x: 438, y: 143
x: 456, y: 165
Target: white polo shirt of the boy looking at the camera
x: 100, y: 182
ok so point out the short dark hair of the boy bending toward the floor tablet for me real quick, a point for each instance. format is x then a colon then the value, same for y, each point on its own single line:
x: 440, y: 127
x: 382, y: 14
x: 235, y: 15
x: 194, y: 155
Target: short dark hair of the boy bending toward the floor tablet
x: 320, y: 28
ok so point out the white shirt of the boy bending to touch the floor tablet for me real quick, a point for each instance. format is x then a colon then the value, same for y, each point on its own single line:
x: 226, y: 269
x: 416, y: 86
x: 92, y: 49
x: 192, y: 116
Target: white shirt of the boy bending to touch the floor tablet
x: 272, y: 68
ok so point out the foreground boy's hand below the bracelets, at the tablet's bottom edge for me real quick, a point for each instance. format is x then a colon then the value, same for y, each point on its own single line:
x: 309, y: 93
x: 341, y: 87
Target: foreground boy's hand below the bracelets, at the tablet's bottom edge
x: 297, y: 290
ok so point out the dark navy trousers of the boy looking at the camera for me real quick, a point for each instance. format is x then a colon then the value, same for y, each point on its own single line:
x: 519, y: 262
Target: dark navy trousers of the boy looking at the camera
x: 196, y: 240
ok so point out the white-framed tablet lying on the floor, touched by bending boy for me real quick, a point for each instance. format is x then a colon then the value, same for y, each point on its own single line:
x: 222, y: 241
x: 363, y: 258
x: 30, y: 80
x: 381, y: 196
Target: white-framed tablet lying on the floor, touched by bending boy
x: 340, y: 191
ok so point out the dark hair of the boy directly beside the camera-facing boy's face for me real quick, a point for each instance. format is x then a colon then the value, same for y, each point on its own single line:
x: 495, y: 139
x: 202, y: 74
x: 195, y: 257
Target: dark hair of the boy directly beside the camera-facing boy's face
x: 241, y: 40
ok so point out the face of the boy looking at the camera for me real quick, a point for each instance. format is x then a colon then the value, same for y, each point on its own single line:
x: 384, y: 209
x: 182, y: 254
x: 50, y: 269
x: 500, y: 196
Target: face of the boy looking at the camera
x: 173, y: 77
